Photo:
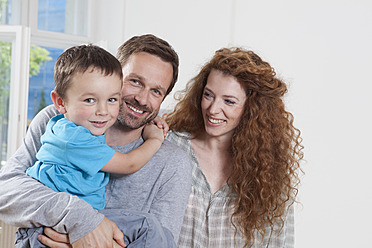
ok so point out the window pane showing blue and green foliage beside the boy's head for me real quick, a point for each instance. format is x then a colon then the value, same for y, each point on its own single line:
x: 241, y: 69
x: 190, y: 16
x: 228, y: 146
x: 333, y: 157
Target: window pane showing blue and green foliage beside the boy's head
x: 42, y: 60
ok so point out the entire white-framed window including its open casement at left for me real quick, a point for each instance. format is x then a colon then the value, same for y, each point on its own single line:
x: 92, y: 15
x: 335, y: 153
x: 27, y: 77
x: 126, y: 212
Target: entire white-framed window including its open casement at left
x: 41, y: 31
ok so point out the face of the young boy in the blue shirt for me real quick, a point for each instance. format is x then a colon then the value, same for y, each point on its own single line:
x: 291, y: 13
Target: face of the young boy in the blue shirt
x: 92, y: 100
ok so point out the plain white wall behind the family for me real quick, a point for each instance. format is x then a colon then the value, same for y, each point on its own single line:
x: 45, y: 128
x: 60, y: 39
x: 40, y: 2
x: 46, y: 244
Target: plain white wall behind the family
x: 323, y: 49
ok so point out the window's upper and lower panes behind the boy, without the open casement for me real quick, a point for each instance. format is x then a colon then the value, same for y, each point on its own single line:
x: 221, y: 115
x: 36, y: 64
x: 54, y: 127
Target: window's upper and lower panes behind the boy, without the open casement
x: 57, y: 25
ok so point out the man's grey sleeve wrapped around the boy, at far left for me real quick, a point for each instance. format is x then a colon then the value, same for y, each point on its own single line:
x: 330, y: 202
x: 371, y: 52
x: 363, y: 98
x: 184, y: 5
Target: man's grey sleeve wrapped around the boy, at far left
x: 25, y: 202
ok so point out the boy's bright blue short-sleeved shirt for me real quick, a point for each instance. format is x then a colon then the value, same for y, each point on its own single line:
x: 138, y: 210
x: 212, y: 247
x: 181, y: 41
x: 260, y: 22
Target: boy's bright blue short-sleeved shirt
x: 70, y: 160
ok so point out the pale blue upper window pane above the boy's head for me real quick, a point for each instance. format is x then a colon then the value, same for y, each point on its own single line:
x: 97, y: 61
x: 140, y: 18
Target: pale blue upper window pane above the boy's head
x: 64, y: 16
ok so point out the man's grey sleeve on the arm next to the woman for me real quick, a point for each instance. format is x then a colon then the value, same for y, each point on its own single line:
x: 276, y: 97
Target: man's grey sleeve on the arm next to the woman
x: 170, y: 203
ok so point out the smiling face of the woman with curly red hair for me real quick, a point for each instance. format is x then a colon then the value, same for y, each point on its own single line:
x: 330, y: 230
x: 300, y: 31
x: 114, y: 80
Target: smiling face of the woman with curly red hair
x: 222, y: 104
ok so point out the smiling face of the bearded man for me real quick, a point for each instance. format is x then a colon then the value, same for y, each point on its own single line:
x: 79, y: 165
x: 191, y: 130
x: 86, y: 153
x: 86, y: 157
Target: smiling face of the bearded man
x: 146, y: 80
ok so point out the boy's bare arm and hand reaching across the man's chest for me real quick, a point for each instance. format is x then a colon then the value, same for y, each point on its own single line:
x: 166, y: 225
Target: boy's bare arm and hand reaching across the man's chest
x: 127, y: 163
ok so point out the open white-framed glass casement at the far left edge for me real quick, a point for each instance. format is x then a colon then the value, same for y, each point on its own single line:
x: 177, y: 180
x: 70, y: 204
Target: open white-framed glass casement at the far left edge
x: 14, y: 70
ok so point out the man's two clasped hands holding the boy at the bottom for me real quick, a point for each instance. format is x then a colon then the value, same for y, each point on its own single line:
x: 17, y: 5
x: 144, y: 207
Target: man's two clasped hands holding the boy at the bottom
x: 104, y: 235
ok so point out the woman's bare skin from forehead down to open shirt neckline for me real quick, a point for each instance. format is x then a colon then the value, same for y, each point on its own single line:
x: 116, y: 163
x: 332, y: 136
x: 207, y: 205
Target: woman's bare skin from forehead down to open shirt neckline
x: 222, y: 106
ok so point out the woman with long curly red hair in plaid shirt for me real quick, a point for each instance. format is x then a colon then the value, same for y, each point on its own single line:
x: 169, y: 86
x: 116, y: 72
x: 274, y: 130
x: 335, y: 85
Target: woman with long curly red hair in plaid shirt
x: 245, y: 151
